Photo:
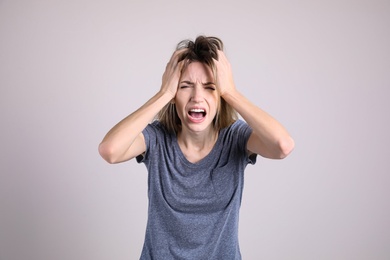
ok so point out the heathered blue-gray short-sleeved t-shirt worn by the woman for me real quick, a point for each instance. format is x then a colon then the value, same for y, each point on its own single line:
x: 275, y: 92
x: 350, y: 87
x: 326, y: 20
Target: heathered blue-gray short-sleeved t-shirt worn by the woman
x: 194, y: 207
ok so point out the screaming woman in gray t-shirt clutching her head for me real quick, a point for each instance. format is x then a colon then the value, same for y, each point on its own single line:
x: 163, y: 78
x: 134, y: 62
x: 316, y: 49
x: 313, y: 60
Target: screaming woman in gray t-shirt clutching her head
x: 195, y: 152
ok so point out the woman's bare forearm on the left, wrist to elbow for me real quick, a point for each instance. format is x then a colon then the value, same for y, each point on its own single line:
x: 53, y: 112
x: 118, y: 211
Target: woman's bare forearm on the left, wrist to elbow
x: 120, y: 138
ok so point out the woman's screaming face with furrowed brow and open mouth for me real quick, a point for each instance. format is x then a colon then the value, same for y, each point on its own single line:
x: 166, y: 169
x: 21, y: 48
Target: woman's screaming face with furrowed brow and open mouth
x: 197, y: 98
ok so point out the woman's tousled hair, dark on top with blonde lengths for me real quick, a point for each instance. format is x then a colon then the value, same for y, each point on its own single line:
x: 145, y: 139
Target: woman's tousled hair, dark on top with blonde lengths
x: 205, y: 50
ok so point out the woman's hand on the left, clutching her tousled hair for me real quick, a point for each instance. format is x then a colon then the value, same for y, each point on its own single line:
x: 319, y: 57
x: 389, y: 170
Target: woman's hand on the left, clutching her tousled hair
x: 171, y: 76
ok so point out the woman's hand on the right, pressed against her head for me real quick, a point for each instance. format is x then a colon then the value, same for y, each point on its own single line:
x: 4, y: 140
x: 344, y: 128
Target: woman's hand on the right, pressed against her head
x: 225, y: 82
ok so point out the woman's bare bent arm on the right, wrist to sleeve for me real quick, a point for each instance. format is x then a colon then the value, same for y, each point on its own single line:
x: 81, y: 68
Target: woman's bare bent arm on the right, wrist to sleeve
x: 272, y: 139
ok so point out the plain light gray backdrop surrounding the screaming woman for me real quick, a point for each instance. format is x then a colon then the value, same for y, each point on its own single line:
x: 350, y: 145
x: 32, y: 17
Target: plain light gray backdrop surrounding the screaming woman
x: 69, y: 70
